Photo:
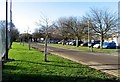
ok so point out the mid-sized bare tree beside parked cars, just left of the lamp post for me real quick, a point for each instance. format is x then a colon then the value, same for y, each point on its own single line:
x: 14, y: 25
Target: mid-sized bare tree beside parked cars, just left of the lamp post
x: 72, y: 27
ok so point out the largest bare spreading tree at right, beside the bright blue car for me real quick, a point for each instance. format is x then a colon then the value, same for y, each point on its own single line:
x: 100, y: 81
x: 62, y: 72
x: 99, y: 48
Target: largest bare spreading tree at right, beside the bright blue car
x: 102, y: 22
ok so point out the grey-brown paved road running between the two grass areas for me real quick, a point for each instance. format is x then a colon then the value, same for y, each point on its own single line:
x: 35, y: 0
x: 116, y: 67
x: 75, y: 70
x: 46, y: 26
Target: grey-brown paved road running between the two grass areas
x: 106, y: 62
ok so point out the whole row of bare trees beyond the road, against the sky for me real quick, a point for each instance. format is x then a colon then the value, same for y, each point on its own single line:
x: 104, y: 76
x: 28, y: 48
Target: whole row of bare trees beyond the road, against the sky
x: 100, y: 23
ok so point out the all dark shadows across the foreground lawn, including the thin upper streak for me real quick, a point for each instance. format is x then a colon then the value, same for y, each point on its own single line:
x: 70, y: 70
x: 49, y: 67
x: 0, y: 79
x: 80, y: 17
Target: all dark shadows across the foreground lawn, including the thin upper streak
x: 9, y: 76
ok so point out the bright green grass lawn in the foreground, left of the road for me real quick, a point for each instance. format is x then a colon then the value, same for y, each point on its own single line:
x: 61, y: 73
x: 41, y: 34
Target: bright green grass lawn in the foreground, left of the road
x: 29, y: 66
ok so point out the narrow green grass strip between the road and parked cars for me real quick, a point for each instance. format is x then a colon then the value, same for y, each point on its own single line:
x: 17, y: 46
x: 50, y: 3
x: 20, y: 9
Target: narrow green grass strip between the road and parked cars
x: 82, y: 48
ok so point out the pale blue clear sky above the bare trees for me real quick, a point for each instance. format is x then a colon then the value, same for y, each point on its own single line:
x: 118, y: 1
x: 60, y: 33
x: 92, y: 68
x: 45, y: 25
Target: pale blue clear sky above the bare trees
x: 27, y: 12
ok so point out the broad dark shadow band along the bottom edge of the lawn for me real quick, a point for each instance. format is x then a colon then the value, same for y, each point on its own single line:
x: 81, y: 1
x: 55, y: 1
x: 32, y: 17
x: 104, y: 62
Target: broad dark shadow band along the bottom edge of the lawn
x: 8, y: 77
